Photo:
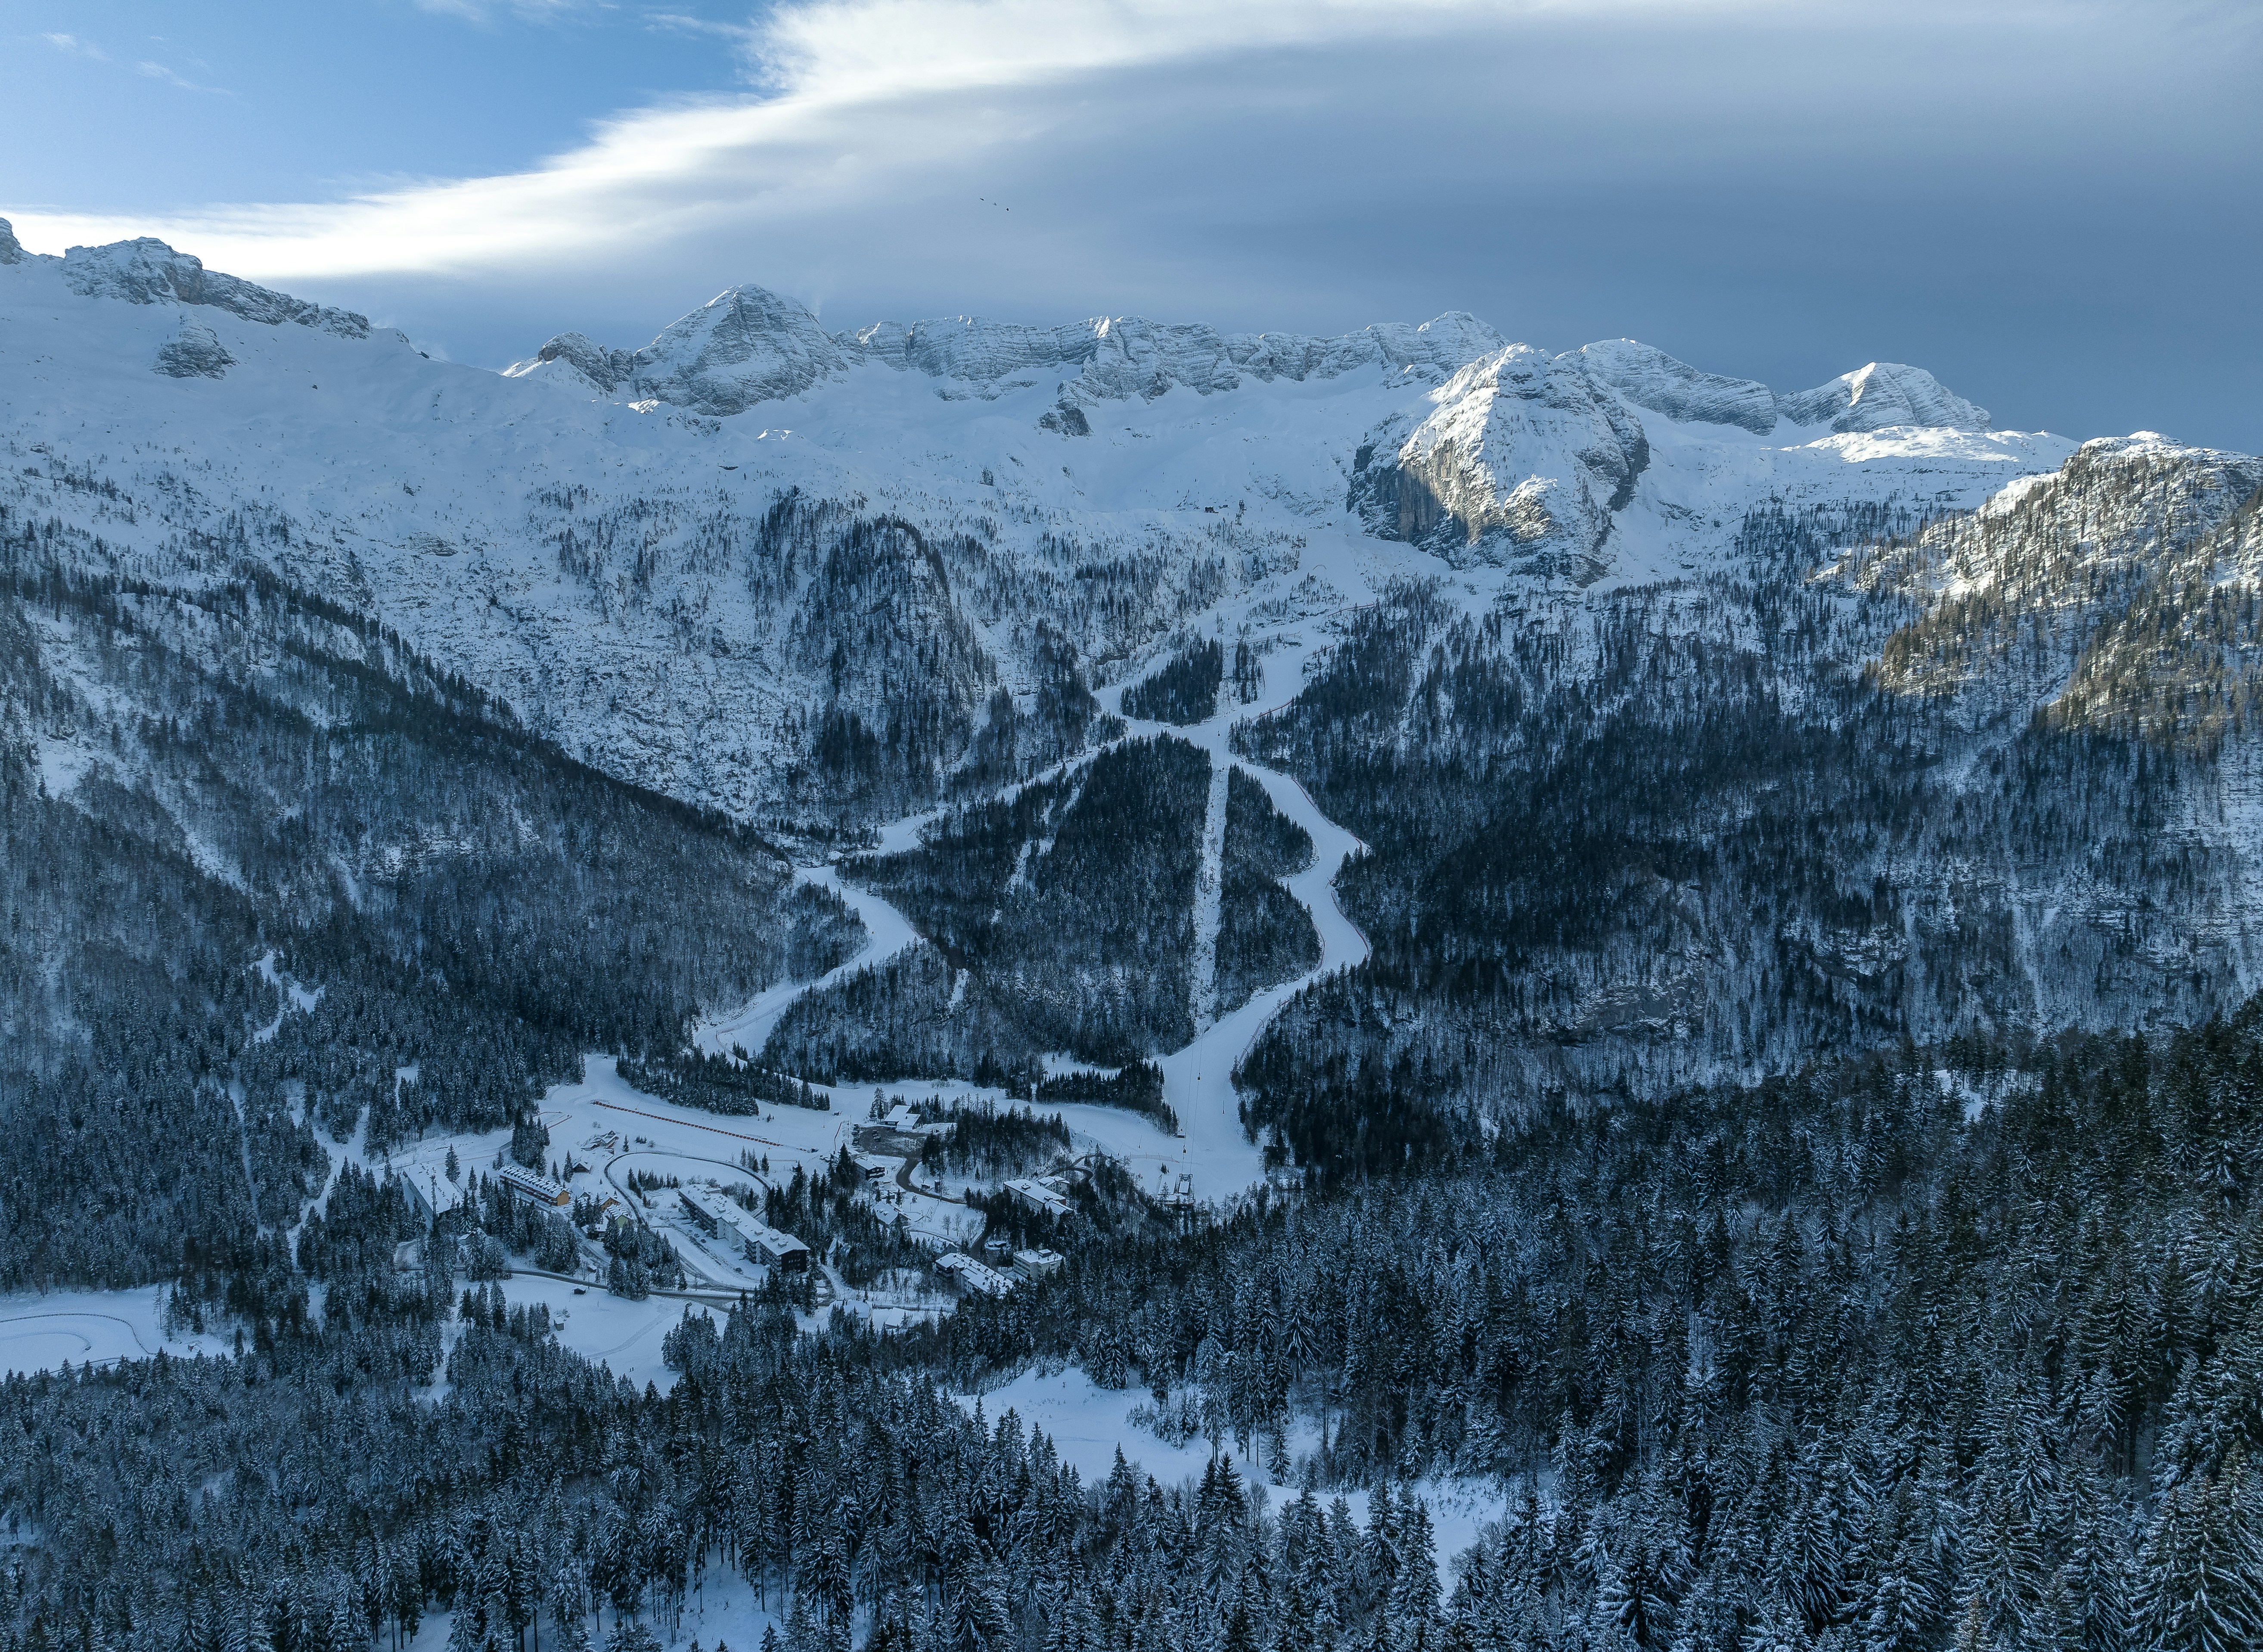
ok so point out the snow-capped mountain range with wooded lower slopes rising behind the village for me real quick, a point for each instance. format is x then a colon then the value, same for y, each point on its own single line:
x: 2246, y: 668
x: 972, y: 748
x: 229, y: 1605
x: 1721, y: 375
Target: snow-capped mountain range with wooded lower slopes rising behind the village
x: 829, y: 580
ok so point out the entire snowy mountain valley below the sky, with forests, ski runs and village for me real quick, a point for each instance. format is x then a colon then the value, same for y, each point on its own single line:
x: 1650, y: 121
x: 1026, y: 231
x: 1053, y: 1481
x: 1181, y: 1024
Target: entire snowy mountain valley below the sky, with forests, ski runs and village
x: 1526, y: 920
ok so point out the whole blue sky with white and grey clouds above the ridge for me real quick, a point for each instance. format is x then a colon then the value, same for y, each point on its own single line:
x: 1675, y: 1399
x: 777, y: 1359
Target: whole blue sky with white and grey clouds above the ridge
x: 2054, y: 207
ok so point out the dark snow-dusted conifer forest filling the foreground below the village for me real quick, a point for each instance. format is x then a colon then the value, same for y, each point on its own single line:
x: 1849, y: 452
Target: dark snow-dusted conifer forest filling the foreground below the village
x: 1843, y: 1359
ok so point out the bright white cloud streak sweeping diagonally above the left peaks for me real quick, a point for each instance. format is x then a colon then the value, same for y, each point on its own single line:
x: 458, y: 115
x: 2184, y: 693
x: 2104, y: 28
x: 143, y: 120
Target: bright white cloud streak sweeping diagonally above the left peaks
x: 852, y: 96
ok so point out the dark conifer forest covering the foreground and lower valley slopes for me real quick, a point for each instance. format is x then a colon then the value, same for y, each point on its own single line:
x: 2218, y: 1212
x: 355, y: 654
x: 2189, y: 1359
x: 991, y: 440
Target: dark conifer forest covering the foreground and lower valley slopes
x: 1916, y: 1345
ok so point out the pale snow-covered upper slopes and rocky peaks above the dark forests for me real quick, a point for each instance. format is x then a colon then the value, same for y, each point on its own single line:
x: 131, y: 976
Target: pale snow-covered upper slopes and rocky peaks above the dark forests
x: 789, y: 571
